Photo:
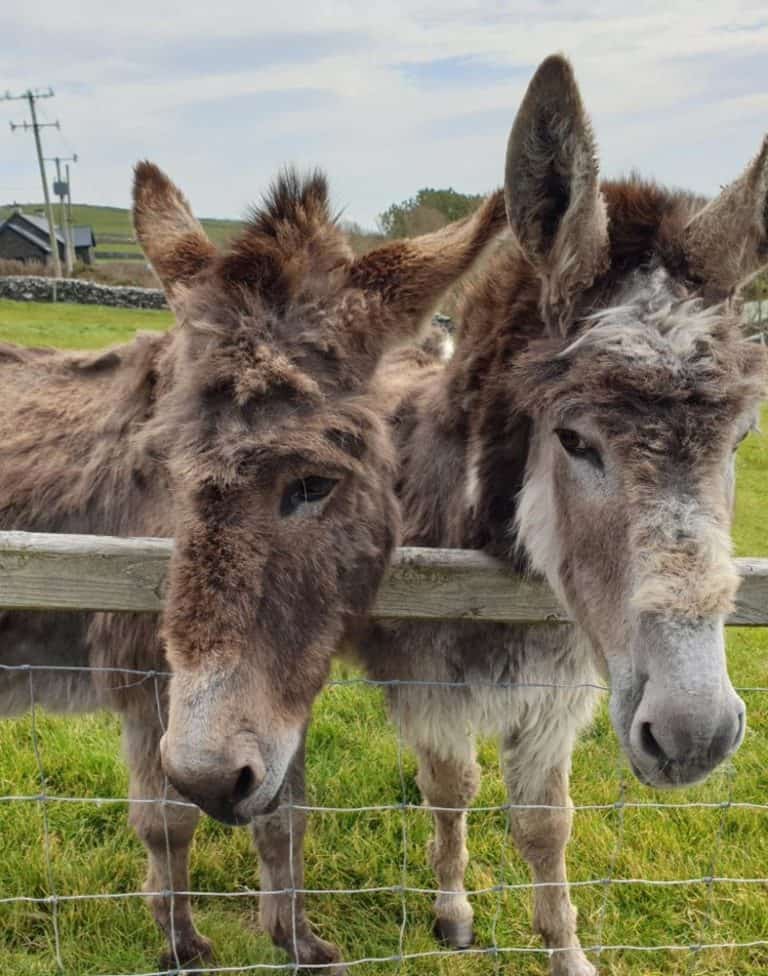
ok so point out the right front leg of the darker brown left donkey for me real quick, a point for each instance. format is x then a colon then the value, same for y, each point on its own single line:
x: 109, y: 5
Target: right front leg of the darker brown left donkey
x: 279, y: 839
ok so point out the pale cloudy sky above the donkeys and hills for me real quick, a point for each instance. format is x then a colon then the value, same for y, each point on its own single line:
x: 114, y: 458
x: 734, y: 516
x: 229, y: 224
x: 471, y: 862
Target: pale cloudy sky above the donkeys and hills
x: 386, y: 97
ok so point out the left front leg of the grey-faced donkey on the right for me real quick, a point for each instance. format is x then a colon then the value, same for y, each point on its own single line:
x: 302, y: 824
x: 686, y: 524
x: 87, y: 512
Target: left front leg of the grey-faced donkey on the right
x: 449, y: 783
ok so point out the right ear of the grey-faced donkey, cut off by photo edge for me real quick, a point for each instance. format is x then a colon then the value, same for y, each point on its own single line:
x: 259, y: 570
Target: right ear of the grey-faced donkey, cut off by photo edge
x: 727, y: 241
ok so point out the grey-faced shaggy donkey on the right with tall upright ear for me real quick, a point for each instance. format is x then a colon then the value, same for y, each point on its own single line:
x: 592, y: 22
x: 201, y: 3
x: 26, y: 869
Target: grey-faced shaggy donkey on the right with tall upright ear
x: 584, y: 430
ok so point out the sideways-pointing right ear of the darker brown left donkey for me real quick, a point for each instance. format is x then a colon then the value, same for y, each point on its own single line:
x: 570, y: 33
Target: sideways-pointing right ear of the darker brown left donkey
x: 409, y: 276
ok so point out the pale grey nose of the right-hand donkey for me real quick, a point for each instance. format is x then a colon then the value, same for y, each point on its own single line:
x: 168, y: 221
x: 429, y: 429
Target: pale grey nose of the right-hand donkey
x: 684, y: 746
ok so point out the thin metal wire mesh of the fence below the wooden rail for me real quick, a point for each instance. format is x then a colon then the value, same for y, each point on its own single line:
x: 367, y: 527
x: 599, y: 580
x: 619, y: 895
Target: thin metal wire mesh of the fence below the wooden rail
x: 44, y: 800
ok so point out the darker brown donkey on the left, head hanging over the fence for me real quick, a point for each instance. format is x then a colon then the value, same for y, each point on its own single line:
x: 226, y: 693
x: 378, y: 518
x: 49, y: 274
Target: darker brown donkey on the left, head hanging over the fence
x: 249, y: 434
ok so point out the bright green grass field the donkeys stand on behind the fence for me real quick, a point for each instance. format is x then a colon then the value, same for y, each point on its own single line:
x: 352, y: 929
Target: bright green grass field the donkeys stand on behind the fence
x: 353, y: 760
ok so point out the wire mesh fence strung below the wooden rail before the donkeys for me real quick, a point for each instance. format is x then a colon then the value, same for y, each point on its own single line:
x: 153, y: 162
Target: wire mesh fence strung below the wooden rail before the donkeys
x: 496, y: 950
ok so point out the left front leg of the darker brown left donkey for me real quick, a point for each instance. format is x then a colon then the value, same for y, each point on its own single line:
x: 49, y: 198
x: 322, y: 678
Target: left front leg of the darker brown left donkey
x: 167, y: 832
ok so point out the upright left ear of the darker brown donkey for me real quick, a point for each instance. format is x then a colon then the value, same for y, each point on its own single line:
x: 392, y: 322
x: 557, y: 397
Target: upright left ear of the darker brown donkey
x: 170, y: 236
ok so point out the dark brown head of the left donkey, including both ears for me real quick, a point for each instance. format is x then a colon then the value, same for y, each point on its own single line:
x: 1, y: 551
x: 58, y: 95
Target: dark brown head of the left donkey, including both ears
x: 280, y: 470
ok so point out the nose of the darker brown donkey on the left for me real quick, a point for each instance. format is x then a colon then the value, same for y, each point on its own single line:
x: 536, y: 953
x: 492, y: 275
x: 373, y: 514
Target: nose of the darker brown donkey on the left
x: 216, y: 786
